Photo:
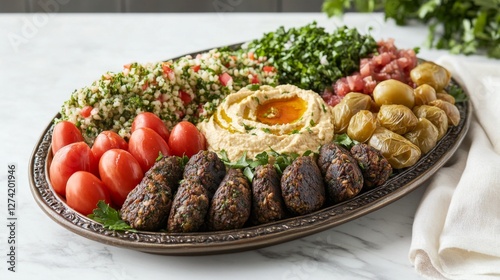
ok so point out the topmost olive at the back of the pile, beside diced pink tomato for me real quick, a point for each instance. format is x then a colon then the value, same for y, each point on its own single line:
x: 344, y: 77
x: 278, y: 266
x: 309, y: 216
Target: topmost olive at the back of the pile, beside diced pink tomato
x: 432, y: 74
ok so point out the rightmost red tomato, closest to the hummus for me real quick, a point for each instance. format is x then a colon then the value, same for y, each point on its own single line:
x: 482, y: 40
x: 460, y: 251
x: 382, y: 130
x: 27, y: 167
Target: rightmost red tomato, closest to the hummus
x: 186, y: 139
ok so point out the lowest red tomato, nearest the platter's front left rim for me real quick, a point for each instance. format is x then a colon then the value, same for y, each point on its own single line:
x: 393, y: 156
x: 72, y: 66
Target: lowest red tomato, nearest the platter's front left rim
x: 84, y: 190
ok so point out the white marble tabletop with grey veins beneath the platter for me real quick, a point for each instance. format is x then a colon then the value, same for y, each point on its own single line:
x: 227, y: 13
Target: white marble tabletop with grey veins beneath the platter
x: 44, y: 57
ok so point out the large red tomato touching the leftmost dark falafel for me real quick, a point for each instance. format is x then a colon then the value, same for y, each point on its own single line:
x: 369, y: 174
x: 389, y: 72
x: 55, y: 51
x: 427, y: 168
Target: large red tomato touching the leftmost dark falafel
x: 120, y: 172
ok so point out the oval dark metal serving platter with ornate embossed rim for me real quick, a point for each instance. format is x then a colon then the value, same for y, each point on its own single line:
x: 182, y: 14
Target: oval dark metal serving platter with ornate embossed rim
x: 204, y: 243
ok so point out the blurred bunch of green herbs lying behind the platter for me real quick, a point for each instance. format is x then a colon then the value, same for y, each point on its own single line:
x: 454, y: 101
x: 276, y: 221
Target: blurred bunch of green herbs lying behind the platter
x: 460, y: 26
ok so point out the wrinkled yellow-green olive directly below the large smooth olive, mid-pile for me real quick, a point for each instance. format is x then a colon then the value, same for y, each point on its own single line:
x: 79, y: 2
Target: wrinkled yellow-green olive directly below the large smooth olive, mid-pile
x: 397, y: 118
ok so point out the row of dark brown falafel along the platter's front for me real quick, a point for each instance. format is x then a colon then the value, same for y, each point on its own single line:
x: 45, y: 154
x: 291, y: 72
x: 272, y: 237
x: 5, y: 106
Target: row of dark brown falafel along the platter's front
x: 205, y: 195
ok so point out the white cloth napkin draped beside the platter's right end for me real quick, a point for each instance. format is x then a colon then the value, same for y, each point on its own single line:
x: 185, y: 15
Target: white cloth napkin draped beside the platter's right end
x: 456, y: 231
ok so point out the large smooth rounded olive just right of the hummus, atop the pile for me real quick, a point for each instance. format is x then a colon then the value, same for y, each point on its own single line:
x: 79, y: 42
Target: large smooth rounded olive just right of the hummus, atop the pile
x: 393, y: 92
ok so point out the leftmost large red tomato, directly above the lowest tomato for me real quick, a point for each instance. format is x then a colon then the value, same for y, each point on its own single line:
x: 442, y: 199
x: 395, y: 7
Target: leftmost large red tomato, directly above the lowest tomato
x: 69, y: 159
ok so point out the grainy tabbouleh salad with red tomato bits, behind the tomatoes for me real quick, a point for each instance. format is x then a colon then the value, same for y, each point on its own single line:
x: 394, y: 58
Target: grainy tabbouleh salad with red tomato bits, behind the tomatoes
x: 189, y: 88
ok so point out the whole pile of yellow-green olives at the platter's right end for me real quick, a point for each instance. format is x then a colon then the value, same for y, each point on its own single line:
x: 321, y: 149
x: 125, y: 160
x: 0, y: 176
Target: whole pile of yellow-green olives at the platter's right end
x: 401, y: 121
